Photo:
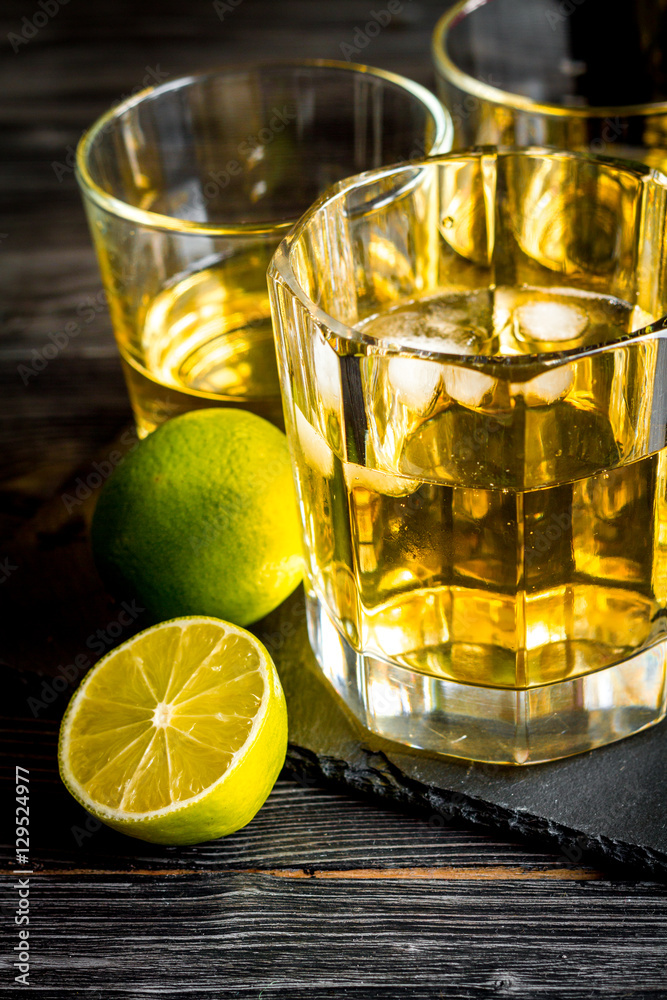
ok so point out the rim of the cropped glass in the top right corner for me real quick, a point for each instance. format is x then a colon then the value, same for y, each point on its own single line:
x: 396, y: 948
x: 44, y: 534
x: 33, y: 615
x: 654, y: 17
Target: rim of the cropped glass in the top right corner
x: 507, y: 98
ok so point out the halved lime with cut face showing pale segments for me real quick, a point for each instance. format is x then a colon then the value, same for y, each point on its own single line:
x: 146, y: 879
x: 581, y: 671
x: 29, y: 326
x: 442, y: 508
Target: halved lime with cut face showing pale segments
x: 178, y: 735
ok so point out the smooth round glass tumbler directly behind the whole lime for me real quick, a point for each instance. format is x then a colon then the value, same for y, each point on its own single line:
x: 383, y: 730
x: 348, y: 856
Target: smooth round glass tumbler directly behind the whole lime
x: 190, y: 186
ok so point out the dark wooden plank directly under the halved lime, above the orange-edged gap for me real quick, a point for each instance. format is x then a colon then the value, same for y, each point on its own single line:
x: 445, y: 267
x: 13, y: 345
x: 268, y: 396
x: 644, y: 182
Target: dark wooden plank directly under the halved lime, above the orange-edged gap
x: 301, y: 828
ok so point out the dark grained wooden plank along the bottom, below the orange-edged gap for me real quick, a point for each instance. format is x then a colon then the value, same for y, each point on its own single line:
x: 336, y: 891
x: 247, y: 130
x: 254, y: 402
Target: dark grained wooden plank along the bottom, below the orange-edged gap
x: 242, y: 935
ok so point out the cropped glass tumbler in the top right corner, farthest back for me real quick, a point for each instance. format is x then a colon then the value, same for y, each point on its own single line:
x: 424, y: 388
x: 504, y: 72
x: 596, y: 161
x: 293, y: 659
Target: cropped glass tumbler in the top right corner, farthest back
x: 582, y: 75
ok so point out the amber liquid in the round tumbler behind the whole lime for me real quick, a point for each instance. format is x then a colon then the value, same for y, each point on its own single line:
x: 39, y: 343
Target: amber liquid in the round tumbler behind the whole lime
x: 204, y: 340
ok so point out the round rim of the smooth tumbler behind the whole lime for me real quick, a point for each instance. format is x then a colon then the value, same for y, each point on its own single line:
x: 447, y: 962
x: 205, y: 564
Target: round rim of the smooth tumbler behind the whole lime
x: 444, y: 133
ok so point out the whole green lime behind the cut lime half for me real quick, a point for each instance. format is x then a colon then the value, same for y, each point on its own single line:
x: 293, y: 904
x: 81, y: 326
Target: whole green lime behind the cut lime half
x: 201, y: 519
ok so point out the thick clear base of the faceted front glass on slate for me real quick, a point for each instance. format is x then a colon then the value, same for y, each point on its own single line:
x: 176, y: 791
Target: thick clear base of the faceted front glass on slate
x: 497, y: 725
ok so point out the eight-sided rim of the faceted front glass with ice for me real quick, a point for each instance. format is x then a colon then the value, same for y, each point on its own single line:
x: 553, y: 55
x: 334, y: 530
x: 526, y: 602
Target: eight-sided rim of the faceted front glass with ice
x: 281, y: 268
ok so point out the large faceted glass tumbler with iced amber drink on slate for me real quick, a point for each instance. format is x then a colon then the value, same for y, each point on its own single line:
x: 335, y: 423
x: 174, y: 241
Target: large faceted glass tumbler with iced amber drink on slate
x: 473, y: 359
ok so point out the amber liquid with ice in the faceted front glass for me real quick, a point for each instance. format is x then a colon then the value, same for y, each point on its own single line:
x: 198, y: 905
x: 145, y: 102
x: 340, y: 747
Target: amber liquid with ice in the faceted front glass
x: 524, y: 548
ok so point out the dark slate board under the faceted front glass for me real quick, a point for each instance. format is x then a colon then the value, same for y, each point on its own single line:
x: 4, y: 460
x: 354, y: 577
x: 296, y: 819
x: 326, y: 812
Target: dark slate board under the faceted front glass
x: 607, y: 803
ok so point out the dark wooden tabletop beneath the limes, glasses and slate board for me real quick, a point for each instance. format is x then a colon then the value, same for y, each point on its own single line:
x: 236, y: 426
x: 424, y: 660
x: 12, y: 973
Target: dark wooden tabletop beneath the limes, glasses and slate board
x: 322, y: 895
